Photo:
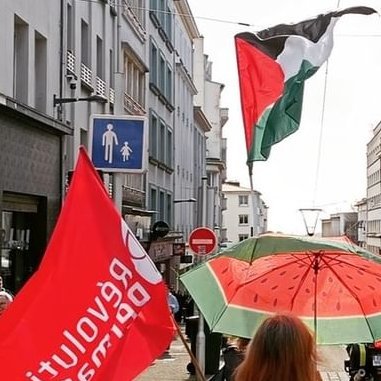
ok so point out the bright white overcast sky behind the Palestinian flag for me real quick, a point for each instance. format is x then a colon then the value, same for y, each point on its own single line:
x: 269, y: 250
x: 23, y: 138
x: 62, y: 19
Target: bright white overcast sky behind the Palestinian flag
x: 323, y: 164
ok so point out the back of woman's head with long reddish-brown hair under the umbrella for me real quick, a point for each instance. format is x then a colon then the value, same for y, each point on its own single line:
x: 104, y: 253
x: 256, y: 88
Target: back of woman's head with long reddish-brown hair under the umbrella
x: 282, y: 349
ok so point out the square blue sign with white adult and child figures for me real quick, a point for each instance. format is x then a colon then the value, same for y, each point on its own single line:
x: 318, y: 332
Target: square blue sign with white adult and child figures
x: 118, y: 143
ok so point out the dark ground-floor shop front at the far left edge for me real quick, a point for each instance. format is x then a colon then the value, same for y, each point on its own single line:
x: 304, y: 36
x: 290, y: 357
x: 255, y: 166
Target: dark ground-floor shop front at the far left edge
x: 31, y: 188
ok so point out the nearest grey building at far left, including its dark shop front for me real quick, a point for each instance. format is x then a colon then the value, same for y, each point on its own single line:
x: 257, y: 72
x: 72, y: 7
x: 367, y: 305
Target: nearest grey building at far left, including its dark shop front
x: 32, y: 140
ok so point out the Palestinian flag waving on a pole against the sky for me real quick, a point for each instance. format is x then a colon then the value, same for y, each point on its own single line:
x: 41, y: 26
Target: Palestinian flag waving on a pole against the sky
x: 272, y: 67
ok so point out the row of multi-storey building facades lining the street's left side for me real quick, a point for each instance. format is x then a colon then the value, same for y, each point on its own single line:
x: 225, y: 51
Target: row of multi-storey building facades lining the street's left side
x: 66, y: 61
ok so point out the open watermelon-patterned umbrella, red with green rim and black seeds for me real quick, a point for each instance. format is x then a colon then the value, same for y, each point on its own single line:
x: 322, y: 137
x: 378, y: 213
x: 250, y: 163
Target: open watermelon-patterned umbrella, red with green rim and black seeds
x: 333, y: 285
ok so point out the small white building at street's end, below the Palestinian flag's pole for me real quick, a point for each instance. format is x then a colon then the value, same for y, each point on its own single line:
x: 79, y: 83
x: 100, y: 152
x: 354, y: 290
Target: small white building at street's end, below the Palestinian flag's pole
x: 238, y: 221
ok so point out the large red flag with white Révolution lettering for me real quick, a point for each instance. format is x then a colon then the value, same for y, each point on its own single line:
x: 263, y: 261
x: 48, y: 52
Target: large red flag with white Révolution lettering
x: 97, y: 307
